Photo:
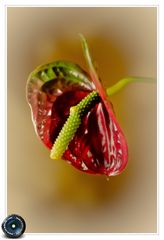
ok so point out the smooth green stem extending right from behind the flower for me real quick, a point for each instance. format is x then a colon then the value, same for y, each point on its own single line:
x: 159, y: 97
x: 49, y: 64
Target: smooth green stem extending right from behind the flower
x: 123, y: 82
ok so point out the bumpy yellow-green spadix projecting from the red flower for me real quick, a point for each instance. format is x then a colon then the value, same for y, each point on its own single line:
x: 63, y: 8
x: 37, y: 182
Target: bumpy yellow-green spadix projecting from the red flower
x: 72, y: 124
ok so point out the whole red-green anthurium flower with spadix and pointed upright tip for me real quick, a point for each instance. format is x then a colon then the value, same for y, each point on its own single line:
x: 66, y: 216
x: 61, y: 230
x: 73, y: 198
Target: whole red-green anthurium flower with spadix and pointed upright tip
x: 74, y: 119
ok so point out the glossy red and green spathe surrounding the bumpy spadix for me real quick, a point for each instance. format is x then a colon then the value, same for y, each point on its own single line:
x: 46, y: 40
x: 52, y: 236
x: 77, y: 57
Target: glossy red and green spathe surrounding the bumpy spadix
x: 99, y: 146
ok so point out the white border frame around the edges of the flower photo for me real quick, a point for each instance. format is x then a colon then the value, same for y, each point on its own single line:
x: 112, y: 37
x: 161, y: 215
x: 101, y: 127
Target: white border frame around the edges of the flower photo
x: 3, y: 119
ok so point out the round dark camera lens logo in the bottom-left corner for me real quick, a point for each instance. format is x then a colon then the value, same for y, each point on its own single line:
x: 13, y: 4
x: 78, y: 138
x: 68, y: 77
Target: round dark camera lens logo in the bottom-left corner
x: 13, y: 226
